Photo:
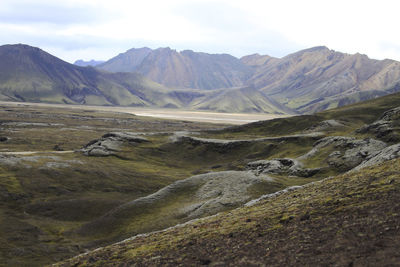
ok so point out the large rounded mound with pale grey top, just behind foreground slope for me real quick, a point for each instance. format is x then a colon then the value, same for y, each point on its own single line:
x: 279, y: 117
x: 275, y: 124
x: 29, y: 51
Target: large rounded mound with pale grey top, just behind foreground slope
x: 190, y: 198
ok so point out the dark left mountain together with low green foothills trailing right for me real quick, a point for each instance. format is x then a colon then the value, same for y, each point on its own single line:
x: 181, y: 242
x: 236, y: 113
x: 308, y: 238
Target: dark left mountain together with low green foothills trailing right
x: 30, y: 74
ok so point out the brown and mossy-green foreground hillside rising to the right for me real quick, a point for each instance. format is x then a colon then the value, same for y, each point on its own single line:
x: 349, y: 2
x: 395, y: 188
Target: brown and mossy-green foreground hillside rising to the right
x: 322, y: 224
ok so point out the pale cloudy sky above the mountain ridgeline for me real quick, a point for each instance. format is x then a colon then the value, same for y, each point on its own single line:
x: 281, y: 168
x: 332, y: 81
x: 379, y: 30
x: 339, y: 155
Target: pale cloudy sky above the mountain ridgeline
x: 101, y: 29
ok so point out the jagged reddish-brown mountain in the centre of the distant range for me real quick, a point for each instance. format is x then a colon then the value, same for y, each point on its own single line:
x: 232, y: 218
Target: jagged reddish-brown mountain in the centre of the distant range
x: 186, y: 69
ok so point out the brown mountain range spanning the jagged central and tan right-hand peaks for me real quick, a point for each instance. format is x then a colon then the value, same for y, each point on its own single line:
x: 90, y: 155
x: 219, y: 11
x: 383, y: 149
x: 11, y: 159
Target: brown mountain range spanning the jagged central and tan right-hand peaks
x: 307, y: 81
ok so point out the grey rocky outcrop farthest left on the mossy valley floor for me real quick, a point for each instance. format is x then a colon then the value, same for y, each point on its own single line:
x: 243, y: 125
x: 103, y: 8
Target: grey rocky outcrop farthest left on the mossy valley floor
x: 110, y: 143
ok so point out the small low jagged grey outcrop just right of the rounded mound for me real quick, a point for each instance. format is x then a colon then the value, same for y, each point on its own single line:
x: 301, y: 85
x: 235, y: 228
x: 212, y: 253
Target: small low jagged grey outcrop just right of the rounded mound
x: 284, y: 166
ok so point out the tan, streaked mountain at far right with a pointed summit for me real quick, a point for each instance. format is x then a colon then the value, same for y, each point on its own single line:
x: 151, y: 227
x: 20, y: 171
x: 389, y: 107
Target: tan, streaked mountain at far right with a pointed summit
x: 318, y: 78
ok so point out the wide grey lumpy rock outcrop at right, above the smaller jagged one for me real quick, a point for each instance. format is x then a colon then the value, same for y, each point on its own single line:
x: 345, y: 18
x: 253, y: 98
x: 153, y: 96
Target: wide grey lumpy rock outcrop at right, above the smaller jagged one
x: 348, y: 152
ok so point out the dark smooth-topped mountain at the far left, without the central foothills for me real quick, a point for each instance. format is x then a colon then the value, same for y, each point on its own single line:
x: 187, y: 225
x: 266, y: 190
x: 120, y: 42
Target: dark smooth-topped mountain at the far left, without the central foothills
x: 30, y: 74
